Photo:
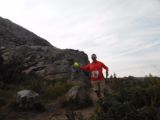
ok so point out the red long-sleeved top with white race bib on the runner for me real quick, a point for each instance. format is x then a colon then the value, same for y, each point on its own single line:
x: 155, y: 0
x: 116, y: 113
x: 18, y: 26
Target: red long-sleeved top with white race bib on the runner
x: 95, y: 69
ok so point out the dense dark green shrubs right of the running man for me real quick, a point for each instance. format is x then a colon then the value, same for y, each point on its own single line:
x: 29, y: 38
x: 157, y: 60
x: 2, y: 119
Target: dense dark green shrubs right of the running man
x: 131, y: 99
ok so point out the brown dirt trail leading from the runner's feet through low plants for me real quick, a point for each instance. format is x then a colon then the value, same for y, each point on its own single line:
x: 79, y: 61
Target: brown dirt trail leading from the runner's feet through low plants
x: 56, y: 112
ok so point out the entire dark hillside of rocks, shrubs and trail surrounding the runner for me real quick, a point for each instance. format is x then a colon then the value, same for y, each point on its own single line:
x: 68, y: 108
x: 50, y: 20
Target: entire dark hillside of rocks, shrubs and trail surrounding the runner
x: 39, y: 82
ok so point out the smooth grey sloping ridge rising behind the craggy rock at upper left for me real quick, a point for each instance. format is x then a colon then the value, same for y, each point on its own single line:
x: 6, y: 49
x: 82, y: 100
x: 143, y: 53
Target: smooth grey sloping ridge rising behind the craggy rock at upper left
x: 12, y: 35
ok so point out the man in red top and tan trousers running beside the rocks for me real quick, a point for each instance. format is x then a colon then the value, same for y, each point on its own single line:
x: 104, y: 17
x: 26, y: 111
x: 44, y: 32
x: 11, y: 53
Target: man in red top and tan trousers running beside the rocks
x: 96, y: 75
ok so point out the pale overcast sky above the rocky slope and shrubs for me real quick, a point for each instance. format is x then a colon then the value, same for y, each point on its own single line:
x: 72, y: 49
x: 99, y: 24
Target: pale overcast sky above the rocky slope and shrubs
x: 125, y: 34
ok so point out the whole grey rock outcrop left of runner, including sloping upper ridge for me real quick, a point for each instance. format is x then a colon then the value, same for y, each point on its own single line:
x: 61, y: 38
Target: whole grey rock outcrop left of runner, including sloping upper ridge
x: 34, y: 55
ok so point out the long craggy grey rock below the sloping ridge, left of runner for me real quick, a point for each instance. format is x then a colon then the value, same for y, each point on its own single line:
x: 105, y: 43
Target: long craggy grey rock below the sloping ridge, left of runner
x: 46, y: 62
